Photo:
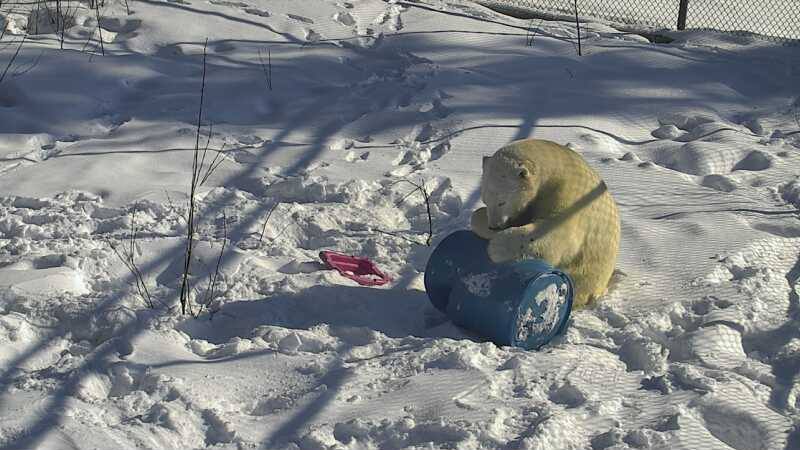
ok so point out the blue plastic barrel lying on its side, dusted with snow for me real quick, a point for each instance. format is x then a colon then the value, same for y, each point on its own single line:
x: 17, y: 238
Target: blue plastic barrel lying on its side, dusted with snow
x: 522, y: 304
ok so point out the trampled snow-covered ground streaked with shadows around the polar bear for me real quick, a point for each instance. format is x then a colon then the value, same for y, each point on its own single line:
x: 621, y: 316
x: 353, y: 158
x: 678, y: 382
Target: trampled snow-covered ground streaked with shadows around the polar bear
x: 697, y: 346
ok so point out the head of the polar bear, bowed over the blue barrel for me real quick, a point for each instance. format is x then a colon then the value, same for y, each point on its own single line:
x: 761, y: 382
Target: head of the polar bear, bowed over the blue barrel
x: 508, y: 188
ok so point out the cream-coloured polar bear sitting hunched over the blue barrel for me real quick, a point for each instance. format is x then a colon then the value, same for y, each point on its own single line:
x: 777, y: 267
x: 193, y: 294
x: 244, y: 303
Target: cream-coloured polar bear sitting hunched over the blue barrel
x: 544, y: 201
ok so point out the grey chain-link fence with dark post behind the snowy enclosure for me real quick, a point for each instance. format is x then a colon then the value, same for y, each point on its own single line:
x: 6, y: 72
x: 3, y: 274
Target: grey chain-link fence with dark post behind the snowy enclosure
x: 777, y: 19
